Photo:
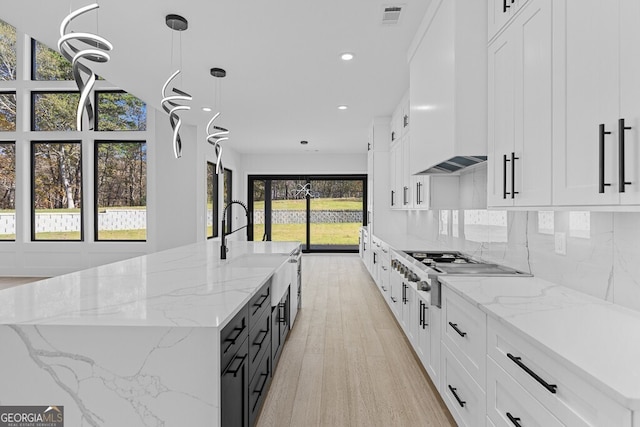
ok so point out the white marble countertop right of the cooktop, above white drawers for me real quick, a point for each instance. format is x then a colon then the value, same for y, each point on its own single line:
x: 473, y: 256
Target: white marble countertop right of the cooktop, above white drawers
x: 595, y: 338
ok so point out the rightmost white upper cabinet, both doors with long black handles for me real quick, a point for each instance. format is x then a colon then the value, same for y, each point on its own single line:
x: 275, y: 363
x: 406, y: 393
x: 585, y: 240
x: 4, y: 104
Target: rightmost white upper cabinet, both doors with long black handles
x: 595, y: 85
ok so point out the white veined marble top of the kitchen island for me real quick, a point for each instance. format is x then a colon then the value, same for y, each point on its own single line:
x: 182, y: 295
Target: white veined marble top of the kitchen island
x: 186, y: 286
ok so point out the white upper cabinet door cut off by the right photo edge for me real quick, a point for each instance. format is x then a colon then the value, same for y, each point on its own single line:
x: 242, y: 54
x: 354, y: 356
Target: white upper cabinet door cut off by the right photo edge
x: 630, y: 99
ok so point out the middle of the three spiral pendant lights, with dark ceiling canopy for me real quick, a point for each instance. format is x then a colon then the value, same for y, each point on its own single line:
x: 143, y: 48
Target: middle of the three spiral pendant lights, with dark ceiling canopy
x: 171, y: 104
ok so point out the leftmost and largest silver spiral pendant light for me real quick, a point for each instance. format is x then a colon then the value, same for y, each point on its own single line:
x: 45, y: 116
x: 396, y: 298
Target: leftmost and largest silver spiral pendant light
x: 68, y: 45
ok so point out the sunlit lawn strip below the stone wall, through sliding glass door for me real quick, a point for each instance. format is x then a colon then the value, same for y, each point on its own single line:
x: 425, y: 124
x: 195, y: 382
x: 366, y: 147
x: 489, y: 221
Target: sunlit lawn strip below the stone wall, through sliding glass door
x: 345, y: 233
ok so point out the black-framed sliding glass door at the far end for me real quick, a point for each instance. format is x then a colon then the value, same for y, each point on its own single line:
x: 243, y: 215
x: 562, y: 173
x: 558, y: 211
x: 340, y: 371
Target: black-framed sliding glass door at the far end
x: 323, y: 212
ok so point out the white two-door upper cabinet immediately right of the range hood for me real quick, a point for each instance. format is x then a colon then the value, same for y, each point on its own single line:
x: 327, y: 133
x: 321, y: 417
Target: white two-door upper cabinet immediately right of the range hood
x: 520, y: 115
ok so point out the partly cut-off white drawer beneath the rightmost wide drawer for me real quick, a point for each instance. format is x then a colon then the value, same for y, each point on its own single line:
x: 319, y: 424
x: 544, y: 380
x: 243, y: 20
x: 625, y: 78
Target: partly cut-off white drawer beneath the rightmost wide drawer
x: 510, y: 405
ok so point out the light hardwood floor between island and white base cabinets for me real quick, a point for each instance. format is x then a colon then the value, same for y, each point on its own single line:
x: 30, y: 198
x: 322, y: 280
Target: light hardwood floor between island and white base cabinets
x: 346, y: 362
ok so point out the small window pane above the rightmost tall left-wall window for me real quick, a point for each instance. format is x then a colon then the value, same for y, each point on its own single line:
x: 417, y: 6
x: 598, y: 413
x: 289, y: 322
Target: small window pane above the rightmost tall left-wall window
x: 118, y: 110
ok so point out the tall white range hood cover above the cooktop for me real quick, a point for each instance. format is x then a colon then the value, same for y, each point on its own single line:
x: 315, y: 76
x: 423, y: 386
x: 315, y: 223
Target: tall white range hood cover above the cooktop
x: 448, y: 84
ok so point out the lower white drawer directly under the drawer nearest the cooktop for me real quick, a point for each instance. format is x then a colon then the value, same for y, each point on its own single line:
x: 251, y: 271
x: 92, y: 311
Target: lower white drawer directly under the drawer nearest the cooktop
x: 463, y: 396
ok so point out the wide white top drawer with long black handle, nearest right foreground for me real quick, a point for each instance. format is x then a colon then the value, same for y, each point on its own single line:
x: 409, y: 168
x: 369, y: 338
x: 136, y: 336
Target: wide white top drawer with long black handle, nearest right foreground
x: 564, y: 393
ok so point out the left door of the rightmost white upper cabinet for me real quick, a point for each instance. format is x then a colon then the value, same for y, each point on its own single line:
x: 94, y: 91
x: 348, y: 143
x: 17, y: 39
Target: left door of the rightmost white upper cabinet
x: 586, y: 90
